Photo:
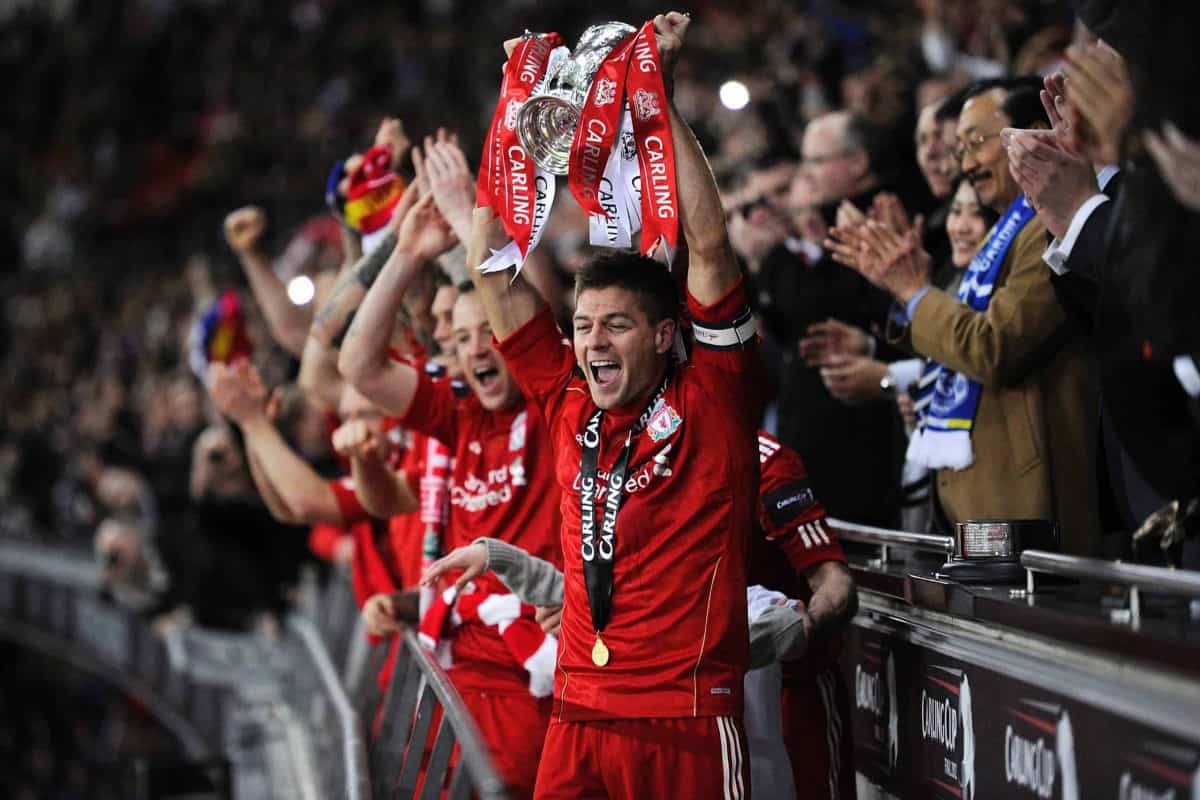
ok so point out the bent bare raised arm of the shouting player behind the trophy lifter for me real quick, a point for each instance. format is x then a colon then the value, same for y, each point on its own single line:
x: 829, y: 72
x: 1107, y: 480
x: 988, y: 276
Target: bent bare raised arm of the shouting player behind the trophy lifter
x: 364, y: 360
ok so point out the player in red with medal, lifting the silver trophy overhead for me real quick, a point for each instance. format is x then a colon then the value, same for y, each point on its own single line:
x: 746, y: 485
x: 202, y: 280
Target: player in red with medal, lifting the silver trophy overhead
x: 649, y: 691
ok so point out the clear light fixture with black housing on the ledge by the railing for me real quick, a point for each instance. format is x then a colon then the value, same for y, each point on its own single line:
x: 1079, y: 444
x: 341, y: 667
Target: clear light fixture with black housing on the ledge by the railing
x: 989, y: 551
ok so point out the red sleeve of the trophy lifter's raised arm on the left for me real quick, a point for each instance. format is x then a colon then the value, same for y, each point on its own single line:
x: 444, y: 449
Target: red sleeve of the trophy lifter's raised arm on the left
x: 541, y: 360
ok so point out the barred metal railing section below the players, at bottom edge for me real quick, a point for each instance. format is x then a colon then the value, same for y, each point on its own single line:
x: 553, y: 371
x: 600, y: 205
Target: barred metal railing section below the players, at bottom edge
x: 406, y: 762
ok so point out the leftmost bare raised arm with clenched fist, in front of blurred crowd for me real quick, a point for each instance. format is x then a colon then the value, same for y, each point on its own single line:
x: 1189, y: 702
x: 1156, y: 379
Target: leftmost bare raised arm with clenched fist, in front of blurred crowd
x: 287, y: 322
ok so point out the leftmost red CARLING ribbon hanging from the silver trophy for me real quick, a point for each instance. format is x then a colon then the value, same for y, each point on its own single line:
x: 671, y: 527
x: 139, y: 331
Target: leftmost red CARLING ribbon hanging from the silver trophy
x: 507, y: 175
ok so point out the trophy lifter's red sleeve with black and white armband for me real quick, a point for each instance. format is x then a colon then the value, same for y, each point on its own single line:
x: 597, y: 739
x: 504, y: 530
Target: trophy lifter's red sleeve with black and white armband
x: 727, y: 352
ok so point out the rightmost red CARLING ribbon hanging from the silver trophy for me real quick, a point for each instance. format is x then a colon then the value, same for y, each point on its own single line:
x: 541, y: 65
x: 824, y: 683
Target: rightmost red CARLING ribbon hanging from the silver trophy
x: 656, y: 146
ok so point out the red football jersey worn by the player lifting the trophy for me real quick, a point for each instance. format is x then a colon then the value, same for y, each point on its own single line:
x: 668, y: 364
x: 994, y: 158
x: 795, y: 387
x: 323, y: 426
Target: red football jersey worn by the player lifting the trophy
x: 679, y: 635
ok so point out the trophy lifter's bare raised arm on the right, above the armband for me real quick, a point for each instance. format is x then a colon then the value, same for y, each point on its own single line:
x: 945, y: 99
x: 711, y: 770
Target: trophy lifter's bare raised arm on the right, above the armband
x: 712, y: 268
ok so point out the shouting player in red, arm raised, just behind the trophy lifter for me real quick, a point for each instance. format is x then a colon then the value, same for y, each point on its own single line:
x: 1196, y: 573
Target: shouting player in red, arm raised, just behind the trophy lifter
x: 502, y: 484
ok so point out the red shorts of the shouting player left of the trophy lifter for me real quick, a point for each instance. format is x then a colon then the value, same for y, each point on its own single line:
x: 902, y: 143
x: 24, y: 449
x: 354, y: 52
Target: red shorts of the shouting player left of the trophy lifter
x: 514, y: 729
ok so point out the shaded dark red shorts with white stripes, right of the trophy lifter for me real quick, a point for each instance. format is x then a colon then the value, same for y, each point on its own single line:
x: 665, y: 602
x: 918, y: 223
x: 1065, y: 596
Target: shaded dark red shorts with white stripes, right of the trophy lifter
x: 818, y: 736
